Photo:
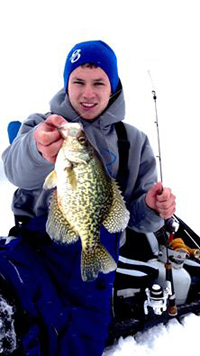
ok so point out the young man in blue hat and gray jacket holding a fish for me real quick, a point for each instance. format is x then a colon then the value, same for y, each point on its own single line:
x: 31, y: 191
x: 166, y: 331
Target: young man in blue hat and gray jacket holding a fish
x: 64, y: 315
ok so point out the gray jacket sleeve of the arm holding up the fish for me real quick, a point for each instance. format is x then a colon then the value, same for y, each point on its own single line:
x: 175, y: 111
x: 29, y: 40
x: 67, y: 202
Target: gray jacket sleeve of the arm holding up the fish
x: 23, y: 164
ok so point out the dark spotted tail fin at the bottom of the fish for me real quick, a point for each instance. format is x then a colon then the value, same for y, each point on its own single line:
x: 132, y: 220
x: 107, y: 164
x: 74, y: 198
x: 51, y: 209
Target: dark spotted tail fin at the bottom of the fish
x: 94, y: 261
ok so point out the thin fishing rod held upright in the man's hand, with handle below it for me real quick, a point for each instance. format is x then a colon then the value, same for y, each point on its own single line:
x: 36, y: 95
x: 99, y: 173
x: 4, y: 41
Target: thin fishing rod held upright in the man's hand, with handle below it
x: 171, y: 224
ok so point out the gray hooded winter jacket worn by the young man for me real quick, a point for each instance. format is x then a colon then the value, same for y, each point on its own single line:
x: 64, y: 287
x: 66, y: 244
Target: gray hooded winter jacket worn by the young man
x: 27, y: 169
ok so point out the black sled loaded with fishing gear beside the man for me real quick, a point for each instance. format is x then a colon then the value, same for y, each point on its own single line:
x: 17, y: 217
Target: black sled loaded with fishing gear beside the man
x: 141, y: 298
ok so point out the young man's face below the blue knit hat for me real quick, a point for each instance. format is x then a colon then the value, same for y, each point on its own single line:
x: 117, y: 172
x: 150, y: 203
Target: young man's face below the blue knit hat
x: 89, y: 91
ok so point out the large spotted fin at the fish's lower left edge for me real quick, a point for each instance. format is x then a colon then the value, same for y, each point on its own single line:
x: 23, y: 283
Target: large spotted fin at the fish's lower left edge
x: 57, y: 227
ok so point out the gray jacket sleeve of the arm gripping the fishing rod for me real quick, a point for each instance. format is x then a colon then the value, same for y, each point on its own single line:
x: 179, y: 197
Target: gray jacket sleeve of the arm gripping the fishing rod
x: 142, y: 218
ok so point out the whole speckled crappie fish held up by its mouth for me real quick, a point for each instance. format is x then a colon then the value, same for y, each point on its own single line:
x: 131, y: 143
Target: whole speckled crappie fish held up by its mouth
x: 85, y: 198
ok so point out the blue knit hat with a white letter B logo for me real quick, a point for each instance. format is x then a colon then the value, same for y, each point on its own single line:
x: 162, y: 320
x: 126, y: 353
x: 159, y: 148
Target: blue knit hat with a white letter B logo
x: 96, y: 52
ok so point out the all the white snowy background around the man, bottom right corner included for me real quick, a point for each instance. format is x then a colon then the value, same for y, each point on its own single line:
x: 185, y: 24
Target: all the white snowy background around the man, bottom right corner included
x: 157, y: 36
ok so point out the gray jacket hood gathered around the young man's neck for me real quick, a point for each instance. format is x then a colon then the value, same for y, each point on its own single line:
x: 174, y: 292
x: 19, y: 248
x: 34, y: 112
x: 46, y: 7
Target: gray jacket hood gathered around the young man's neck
x: 115, y: 112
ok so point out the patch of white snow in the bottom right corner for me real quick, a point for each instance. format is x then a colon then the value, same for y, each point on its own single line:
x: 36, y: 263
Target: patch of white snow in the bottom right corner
x: 175, y: 338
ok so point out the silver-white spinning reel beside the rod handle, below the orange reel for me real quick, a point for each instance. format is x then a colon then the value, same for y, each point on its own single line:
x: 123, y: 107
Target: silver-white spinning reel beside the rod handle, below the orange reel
x: 157, y: 298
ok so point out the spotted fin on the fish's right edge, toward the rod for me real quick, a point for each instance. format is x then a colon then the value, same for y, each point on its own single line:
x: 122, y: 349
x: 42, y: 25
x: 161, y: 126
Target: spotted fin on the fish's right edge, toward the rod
x: 118, y: 217
